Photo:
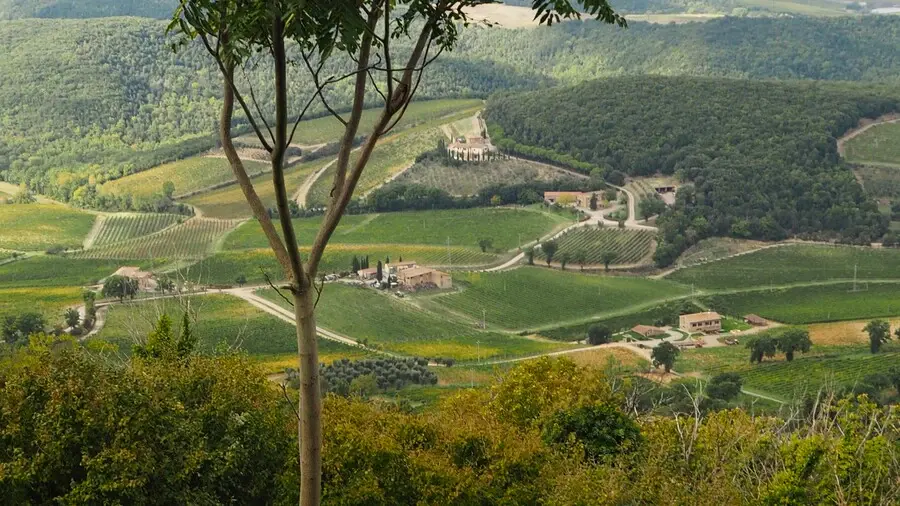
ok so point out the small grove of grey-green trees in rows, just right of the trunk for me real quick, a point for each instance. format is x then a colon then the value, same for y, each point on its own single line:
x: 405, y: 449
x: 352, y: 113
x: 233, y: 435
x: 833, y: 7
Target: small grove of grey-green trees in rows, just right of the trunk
x: 366, y: 377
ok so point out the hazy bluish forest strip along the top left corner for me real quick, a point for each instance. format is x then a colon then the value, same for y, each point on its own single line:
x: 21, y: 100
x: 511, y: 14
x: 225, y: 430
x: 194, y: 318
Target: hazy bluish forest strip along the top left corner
x: 15, y: 9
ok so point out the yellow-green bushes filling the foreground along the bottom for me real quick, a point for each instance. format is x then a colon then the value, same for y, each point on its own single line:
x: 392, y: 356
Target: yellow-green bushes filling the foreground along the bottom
x: 175, y: 427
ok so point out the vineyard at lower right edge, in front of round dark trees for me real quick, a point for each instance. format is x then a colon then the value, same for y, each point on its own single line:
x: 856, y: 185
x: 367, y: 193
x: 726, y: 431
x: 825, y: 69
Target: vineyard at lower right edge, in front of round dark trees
x: 823, y: 366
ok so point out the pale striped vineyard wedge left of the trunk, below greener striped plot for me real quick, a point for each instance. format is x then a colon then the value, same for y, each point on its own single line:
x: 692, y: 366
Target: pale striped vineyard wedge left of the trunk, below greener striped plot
x: 193, y: 239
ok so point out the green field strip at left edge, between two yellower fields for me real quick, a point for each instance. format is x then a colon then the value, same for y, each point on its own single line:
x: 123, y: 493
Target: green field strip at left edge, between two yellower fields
x: 52, y: 270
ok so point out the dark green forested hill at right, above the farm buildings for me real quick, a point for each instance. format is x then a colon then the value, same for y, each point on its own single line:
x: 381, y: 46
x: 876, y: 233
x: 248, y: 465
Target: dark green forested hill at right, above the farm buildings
x: 761, y: 156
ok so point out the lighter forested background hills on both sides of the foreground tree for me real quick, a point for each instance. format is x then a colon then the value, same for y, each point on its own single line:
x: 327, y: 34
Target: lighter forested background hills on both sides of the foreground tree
x: 85, y: 101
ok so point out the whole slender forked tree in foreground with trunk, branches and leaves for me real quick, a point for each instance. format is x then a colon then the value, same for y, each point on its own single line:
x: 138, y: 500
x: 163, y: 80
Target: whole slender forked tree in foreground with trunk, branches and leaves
x: 308, y: 34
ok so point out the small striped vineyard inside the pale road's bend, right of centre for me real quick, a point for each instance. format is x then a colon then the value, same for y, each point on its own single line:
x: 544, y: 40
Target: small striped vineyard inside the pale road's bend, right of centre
x: 630, y: 246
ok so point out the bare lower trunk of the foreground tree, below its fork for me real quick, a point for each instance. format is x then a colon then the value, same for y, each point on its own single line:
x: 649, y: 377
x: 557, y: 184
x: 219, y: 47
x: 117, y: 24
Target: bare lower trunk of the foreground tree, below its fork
x: 310, y: 428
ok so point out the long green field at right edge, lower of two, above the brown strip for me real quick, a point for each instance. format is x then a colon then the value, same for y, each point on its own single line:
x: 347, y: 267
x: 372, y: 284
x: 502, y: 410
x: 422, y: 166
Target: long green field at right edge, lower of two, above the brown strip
x: 812, y: 304
